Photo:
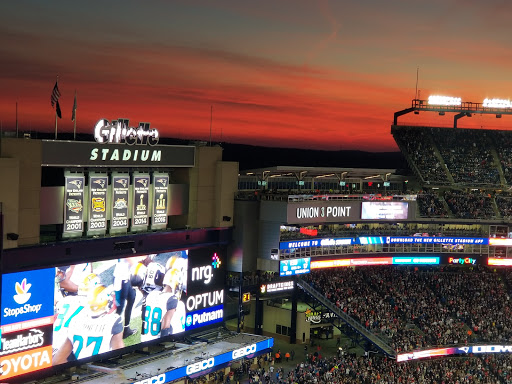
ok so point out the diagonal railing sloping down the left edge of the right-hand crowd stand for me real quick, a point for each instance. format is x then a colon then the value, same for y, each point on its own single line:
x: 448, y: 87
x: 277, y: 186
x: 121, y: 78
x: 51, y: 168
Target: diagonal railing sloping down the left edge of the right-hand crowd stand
x: 355, y: 325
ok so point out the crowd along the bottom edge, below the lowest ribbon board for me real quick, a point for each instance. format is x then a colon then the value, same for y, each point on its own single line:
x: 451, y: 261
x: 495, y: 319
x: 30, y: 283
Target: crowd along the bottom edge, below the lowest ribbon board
x: 351, y: 369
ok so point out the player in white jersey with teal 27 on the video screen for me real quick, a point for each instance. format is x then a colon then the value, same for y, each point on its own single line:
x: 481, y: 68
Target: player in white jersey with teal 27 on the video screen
x: 99, y: 330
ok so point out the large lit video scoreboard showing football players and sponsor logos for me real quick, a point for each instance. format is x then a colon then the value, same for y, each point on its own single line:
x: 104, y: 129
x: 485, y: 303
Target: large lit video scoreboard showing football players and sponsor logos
x: 69, y: 313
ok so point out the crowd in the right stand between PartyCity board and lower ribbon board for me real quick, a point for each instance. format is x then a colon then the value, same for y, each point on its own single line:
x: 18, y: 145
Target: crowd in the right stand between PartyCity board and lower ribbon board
x: 416, y: 308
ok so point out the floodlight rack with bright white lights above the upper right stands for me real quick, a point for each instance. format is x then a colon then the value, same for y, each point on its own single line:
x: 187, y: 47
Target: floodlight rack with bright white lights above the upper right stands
x: 460, y: 108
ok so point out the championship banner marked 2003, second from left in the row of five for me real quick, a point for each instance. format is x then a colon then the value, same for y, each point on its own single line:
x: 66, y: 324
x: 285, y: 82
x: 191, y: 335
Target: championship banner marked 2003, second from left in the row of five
x: 98, y: 187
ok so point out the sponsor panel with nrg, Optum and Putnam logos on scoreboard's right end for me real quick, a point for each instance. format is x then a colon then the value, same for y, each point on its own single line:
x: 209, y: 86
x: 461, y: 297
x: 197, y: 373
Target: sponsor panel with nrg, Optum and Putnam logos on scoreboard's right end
x: 205, y: 297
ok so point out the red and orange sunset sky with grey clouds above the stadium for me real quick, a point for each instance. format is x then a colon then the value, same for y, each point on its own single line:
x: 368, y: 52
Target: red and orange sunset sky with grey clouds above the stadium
x: 304, y: 74
